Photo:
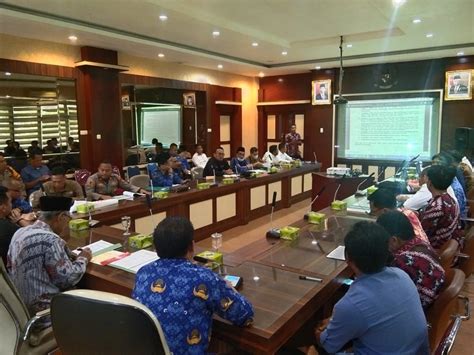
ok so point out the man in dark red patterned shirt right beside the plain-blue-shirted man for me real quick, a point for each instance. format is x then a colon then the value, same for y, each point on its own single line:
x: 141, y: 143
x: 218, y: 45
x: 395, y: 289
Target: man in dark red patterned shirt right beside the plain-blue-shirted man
x: 416, y: 257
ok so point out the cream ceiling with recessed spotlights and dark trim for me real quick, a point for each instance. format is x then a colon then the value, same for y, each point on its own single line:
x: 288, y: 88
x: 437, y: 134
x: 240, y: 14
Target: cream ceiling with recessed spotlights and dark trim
x: 308, y: 30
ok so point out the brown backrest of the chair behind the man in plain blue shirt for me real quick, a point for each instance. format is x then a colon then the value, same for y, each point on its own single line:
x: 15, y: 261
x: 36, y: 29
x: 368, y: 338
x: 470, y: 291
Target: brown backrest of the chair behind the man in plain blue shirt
x: 439, y: 315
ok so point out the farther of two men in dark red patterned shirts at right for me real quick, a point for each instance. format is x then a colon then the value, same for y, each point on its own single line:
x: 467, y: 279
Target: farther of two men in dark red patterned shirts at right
x: 440, y: 219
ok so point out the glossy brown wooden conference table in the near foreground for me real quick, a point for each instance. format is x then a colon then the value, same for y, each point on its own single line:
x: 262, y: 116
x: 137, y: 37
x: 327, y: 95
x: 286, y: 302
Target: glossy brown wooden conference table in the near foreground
x: 270, y: 269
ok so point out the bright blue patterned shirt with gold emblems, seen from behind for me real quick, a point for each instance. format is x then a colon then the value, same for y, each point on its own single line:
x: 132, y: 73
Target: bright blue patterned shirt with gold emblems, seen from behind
x: 183, y: 296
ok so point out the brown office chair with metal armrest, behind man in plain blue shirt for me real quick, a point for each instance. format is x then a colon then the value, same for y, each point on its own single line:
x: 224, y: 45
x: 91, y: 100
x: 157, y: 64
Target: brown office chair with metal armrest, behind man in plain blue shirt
x: 443, y: 320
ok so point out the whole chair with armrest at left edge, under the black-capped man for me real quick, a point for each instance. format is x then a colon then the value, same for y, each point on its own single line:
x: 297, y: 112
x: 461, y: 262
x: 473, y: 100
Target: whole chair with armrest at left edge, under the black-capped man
x: 16, y: 323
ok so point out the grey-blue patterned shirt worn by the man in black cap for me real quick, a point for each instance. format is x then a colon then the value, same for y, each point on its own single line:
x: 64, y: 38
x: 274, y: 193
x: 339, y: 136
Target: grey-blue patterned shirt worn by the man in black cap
x: 41, y: 265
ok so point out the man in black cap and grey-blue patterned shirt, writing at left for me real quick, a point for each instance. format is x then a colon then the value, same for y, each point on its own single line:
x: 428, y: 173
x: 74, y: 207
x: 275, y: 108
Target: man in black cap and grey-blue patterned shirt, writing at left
x: 39, y: 261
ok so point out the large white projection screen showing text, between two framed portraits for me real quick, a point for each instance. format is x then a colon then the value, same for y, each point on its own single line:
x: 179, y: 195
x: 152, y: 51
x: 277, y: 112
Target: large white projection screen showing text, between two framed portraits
x: 389, y: 128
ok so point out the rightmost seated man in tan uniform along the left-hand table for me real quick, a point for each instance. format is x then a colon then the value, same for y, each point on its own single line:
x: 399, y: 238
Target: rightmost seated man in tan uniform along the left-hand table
x: 104, y: 184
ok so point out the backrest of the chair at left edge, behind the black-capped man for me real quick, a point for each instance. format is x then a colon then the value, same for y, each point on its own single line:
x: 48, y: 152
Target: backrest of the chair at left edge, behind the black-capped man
x: 13, y: 314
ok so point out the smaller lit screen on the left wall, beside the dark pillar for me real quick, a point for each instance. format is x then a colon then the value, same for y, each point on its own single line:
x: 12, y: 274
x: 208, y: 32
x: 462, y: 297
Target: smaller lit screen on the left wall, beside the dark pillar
x: 161, y: 122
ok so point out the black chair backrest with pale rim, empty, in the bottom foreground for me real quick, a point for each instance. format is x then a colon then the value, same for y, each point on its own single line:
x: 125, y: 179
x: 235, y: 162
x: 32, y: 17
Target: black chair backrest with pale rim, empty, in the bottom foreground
x: 93, y: 322
